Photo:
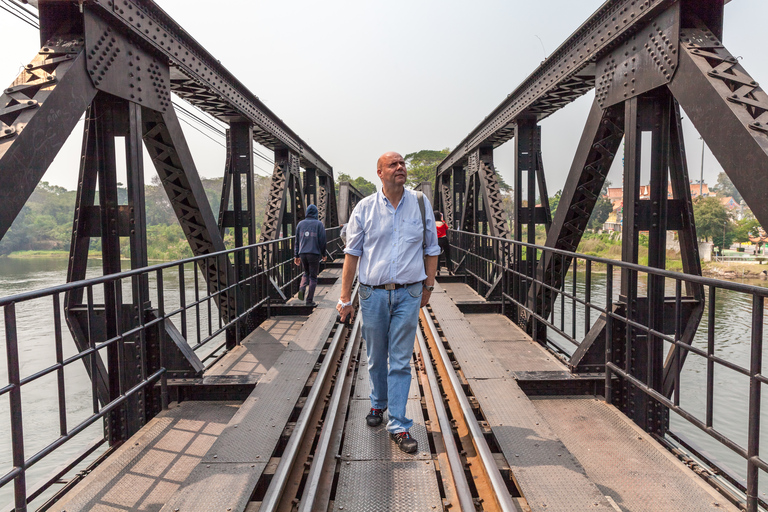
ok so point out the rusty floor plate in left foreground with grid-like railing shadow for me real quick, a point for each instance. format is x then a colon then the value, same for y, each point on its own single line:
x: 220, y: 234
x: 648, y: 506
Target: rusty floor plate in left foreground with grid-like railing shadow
x: 145, y: 472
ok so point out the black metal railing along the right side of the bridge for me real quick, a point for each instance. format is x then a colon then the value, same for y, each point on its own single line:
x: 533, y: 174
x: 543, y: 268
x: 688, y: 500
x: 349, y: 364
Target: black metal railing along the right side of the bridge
x: 586, y: 291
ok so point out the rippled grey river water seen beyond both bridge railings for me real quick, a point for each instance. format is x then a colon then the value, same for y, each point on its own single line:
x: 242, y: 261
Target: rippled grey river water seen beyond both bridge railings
x: 41, y: 415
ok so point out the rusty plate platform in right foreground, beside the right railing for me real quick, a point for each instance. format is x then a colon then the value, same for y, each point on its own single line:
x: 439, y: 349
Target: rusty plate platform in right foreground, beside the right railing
x: 624, y: 462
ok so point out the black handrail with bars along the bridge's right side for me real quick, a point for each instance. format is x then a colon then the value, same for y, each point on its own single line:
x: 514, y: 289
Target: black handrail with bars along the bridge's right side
x: 489, y: 261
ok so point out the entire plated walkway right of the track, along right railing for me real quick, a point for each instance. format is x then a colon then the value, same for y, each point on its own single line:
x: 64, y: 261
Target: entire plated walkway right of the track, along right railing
x: 565, y: 452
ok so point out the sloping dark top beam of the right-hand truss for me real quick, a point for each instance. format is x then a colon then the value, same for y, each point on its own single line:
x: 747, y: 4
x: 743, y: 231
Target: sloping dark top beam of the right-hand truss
x: 547, y: 89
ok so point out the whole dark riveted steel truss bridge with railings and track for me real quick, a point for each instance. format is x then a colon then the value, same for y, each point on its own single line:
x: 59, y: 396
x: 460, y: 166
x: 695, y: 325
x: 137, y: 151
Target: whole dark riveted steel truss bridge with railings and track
x: 153, y: 340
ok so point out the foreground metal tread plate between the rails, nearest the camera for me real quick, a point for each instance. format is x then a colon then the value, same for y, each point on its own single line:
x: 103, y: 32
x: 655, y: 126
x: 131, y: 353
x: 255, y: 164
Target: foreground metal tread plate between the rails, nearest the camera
x: 387, y: 486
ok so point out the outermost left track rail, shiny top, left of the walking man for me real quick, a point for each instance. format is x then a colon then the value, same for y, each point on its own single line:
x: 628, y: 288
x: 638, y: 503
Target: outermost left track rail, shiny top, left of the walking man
x: 274, y: 491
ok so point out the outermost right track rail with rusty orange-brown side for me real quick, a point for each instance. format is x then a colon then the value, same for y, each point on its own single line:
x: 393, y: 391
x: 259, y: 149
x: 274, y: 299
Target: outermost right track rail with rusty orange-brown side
x: 499, y: 487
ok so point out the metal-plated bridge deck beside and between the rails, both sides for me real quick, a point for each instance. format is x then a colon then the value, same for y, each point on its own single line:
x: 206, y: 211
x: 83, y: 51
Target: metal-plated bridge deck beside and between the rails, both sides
x: 564, y: 452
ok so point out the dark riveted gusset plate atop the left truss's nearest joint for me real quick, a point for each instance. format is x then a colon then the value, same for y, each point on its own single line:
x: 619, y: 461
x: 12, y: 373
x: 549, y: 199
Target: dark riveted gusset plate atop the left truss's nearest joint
x: 120, y: 67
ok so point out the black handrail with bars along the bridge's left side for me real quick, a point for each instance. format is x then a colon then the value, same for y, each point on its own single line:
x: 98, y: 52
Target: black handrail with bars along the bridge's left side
x: 274, y: 261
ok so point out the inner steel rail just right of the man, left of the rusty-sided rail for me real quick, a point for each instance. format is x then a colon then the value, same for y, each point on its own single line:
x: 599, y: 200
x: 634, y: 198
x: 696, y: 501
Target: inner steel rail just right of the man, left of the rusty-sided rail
x: 463, y: 491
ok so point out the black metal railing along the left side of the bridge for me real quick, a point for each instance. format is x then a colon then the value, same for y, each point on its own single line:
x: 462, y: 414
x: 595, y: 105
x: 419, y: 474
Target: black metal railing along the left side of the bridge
x: 180, y: 299
